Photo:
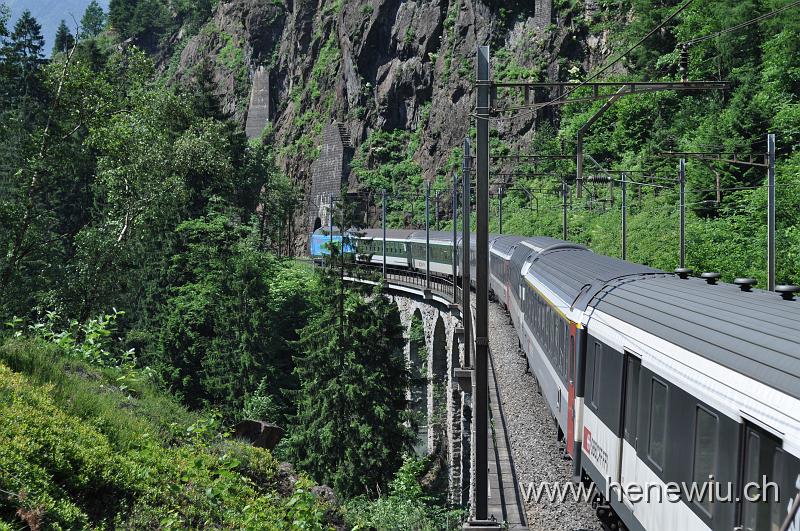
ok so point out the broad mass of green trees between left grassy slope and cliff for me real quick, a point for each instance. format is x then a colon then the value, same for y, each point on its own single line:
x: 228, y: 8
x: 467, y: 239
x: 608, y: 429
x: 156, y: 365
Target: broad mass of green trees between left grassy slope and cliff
x: 131, y: 200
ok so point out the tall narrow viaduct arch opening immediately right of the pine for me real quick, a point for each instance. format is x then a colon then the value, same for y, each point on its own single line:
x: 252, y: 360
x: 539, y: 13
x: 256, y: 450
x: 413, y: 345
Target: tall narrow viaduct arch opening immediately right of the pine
x: 418, y: 388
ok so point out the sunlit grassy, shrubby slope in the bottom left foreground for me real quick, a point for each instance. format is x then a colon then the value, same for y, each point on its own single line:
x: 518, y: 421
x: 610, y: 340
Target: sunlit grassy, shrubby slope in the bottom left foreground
x: 78, y: 450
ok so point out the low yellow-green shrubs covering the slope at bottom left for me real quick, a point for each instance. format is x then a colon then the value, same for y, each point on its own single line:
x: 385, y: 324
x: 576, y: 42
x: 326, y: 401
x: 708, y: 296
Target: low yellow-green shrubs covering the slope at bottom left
x: 62, y: 469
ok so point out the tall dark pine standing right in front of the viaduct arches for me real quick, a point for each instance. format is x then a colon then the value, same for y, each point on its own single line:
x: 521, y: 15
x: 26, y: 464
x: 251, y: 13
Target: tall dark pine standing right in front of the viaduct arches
x: 350, y: 429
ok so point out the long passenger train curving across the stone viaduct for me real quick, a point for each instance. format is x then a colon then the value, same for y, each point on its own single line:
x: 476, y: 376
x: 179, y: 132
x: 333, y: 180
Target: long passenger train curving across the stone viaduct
x: 658, y: 380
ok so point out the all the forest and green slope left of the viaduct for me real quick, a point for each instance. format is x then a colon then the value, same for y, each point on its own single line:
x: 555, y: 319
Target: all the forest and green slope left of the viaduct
x: 147, y: 310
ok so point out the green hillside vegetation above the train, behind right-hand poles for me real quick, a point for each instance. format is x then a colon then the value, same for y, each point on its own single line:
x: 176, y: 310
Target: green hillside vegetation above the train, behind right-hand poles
x: 727, y: 236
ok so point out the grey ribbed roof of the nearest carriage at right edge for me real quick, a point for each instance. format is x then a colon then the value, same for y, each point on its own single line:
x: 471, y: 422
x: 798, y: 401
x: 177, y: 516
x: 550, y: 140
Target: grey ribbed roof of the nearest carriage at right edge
x: 752, y: 333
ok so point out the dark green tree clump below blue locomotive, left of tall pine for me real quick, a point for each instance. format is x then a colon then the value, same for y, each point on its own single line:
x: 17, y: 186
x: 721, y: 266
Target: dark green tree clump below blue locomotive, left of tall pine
x: 214, y: 338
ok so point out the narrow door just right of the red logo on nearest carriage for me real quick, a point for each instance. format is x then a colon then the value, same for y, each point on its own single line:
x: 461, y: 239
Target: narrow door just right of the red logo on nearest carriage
x: 630, y: 412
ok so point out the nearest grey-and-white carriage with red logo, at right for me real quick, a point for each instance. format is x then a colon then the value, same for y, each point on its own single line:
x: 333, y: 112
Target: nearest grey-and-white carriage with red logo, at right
x: 686, y: 380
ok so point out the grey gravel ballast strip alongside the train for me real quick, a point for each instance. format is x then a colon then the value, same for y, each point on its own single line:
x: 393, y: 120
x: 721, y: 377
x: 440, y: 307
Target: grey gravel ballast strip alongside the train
x: 538, y: 457
